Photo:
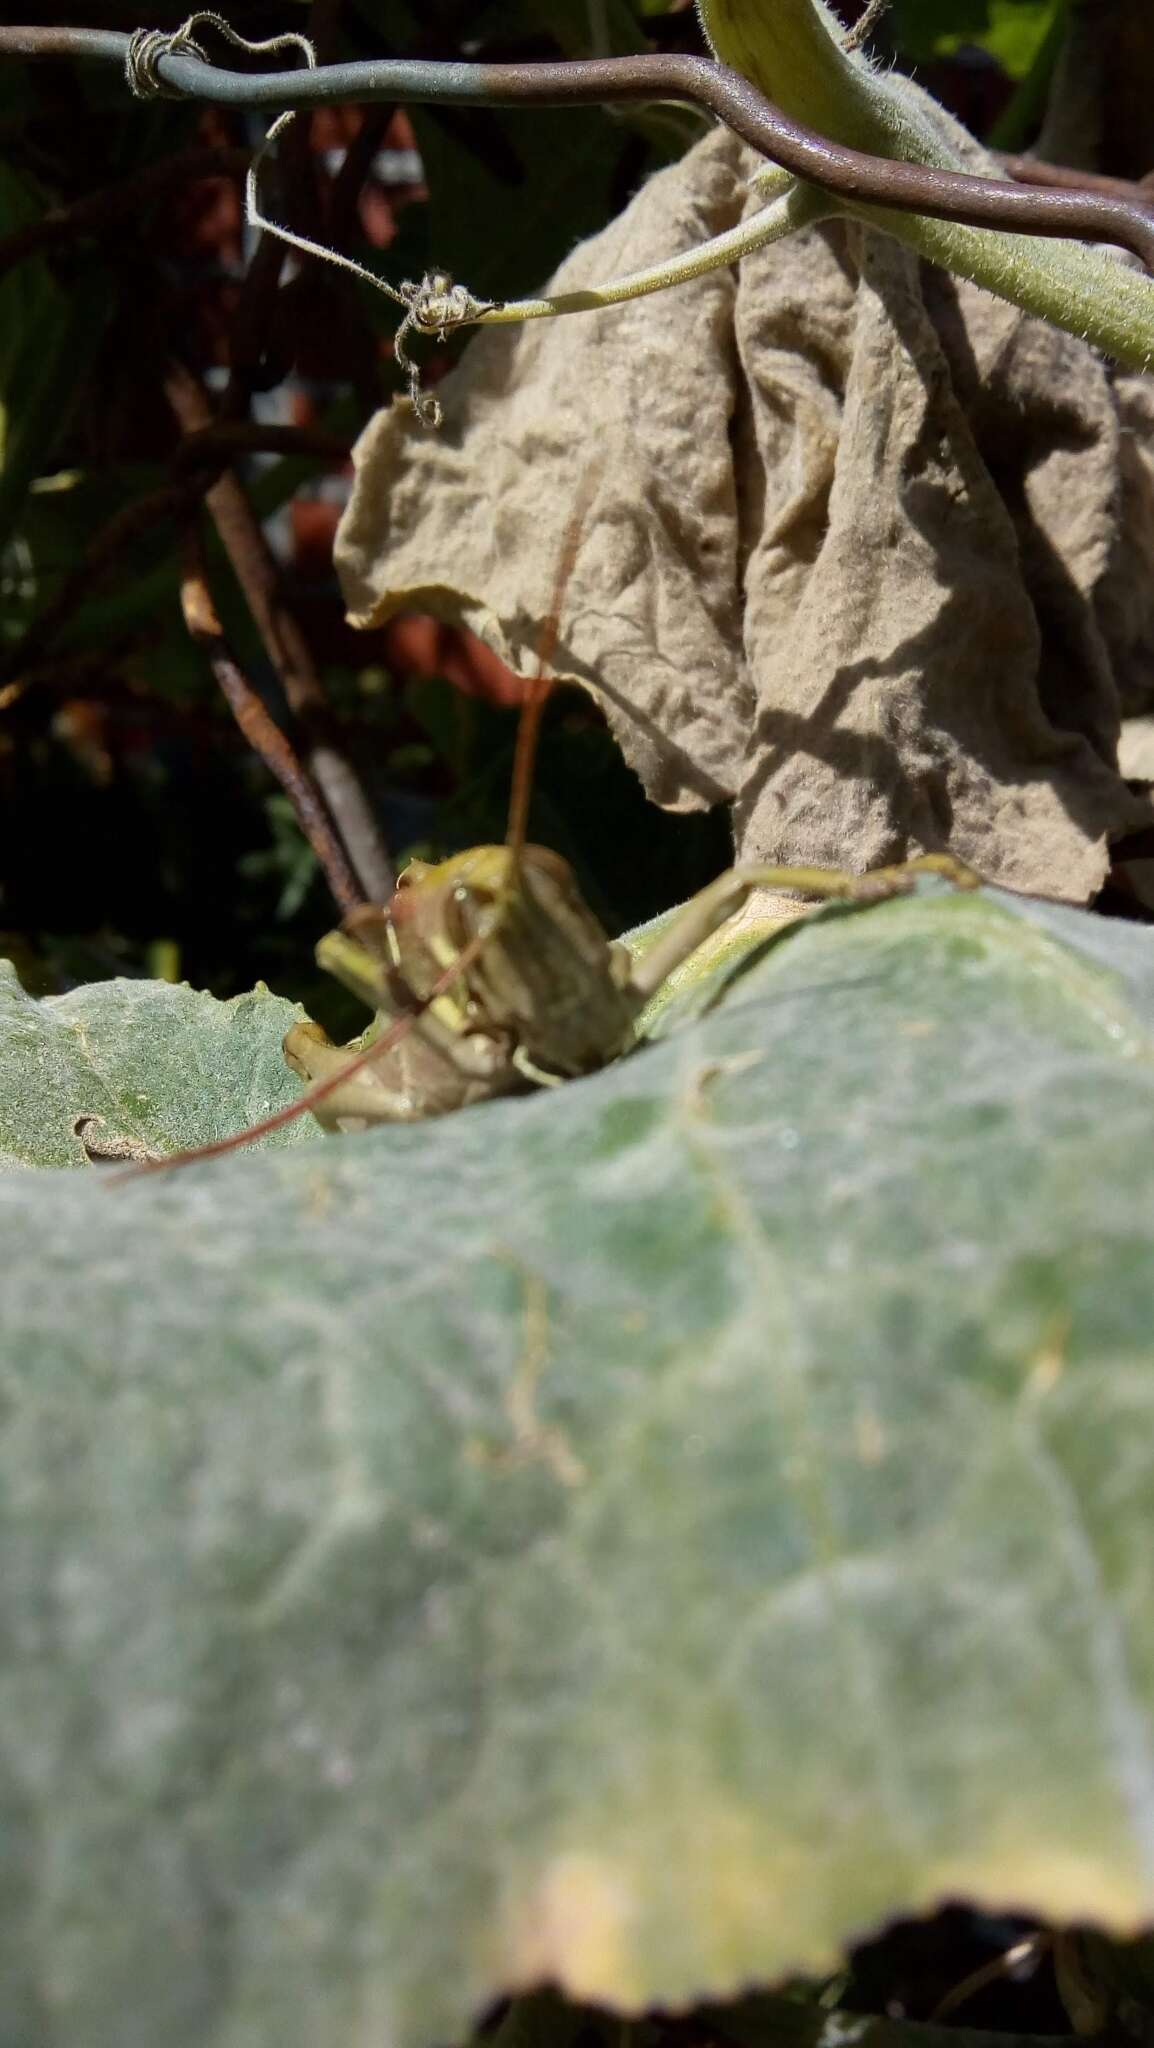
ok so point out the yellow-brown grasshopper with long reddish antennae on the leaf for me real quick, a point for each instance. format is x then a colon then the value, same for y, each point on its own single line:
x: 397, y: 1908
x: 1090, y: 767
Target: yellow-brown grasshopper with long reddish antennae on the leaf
x: 491, y: 976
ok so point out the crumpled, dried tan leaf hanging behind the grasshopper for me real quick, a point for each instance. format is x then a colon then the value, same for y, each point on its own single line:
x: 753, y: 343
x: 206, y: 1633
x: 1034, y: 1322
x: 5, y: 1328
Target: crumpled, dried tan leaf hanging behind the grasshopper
x: 858, y: 560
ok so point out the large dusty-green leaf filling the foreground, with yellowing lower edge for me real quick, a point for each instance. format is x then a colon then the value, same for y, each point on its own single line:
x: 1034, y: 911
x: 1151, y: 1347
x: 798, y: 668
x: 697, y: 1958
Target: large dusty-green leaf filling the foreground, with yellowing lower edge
x: 641, y: 1535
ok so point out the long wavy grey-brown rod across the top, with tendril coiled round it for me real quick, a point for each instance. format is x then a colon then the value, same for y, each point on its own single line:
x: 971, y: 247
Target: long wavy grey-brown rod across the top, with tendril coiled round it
x: 657, y: 77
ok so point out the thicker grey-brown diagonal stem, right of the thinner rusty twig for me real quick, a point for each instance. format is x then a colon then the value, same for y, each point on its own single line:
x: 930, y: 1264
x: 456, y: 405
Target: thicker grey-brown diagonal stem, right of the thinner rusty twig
x: 288, y: 650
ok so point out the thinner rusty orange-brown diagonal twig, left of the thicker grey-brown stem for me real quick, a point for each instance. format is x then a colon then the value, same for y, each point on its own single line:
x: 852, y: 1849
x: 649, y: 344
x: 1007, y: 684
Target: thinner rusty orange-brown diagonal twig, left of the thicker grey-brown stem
x: 263, y: 734
